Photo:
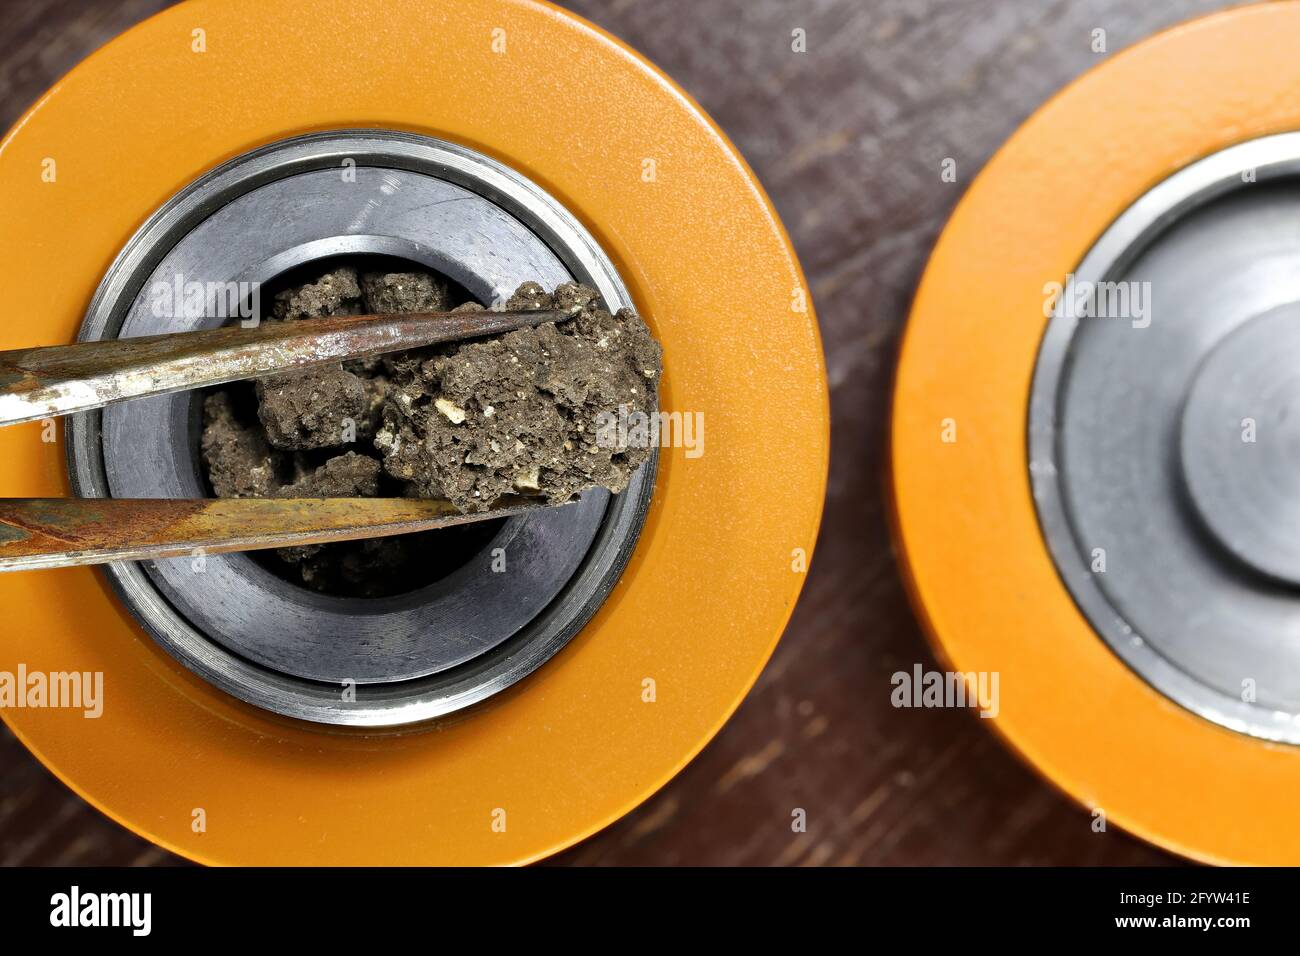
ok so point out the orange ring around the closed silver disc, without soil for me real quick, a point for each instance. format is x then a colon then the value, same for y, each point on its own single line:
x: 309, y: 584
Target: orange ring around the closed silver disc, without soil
x: 978, y: 568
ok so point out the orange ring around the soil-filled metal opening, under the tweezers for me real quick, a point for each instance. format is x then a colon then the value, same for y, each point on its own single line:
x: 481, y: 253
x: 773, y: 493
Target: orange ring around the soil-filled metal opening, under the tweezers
x: 713, y: 581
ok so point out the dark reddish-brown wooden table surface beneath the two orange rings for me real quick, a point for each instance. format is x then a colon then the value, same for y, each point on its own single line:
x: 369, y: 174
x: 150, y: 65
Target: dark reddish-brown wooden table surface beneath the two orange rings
x: 848, y: 140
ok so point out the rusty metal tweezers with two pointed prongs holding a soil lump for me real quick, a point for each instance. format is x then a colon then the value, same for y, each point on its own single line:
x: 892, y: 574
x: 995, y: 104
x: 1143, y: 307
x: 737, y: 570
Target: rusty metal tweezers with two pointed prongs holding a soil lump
x: 46, y: 383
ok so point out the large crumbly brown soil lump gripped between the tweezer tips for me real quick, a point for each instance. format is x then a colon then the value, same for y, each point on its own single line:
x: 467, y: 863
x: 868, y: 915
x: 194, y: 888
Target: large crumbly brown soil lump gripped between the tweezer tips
x: 518, y: 414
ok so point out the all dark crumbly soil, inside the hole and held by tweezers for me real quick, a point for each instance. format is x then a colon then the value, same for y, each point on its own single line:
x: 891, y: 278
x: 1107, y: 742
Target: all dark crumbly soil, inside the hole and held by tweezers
x: 515, y: 414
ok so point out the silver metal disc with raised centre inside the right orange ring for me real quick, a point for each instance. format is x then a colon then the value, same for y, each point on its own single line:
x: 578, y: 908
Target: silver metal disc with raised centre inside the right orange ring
x: 1165, y: 457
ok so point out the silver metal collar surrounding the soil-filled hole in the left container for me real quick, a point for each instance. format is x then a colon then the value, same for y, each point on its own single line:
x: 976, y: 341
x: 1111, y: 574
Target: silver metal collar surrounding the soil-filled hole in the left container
x: 414, y: 656
